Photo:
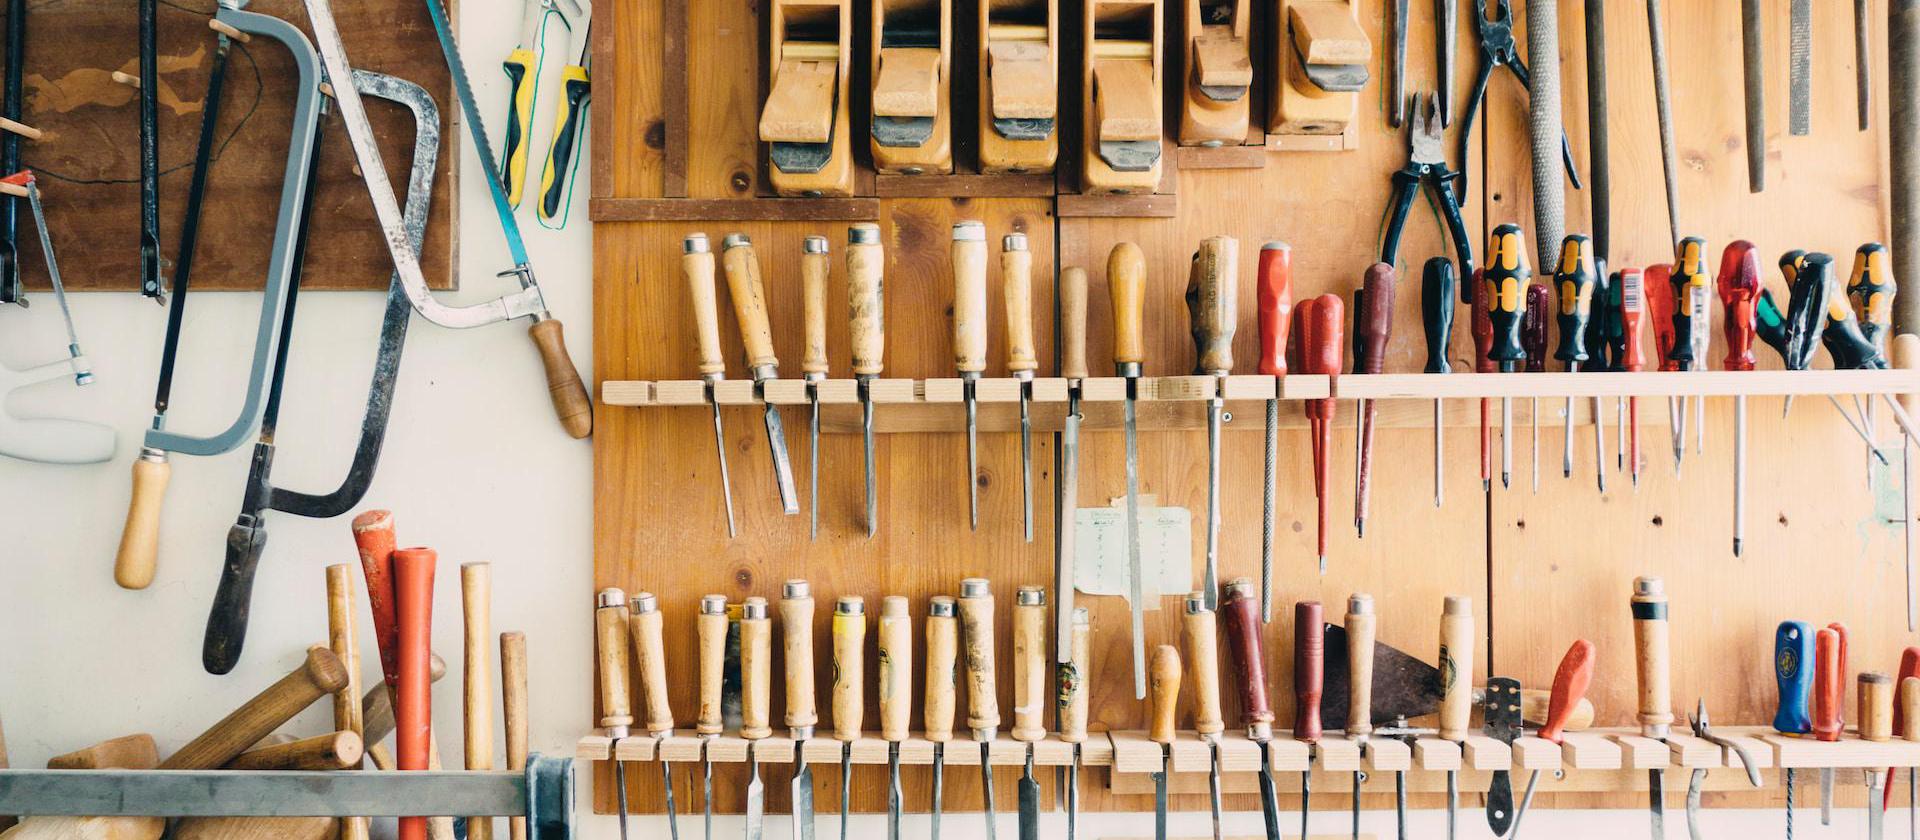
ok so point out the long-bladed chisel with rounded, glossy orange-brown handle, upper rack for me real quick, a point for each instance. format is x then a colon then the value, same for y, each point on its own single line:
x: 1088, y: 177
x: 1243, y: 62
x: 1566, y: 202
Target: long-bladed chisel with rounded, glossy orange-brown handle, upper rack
x: 1126, y: 279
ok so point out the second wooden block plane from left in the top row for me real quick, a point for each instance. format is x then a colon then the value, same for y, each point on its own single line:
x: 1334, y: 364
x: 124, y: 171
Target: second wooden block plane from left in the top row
x: 913, y: 78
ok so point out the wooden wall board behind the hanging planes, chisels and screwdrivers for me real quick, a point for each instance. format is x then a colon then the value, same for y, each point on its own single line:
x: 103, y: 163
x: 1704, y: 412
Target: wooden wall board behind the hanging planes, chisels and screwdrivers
x: 1545, y: 569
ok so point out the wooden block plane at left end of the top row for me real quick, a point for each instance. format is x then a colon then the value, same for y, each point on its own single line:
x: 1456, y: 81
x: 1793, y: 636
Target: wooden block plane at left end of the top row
x: 805, y: 118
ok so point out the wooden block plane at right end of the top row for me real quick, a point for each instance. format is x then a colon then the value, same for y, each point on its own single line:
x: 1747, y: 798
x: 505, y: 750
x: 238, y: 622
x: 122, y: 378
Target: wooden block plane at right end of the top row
x: 1320, y: 68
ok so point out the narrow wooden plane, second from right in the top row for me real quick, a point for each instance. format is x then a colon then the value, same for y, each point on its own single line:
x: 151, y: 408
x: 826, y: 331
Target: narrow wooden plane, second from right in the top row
x: 1218, y: 74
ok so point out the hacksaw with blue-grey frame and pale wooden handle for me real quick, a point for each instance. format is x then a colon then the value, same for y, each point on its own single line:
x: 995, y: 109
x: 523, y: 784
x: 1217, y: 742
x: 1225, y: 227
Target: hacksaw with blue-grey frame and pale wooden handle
x: 141, y: 536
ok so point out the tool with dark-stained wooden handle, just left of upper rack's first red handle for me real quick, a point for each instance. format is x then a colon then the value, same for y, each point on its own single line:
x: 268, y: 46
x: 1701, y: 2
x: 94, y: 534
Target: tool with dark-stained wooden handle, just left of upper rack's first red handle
x: 1212, y: 315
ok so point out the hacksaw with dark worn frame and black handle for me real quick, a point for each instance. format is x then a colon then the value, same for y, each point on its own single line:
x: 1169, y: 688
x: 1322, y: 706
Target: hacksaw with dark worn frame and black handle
x: 247, y: 540
